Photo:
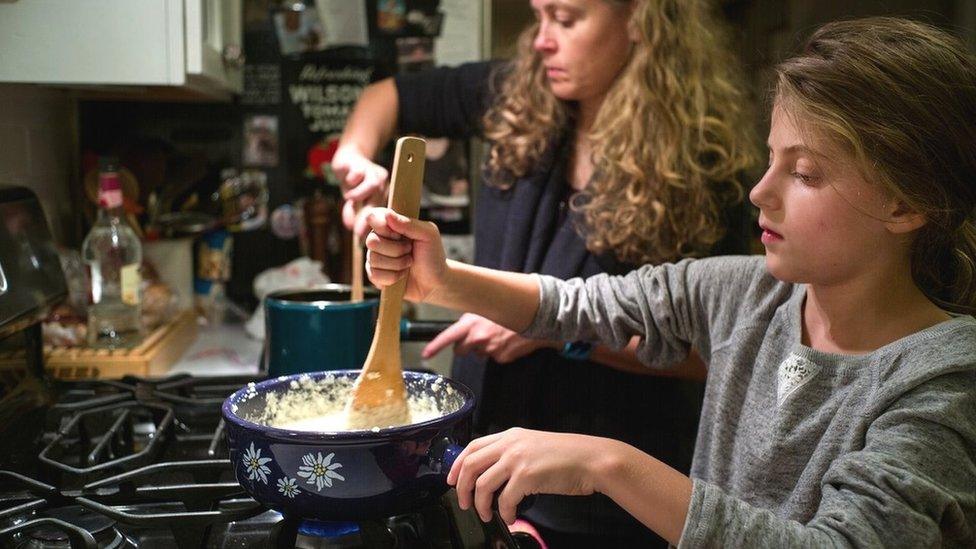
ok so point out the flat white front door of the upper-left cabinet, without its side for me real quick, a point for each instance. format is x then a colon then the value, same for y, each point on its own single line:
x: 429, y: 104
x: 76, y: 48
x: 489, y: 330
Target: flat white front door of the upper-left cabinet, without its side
x: 92, y: 41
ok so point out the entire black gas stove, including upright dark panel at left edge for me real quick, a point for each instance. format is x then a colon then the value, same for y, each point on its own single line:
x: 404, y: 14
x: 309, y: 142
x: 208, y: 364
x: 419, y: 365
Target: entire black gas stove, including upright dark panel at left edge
x: 144, y: 462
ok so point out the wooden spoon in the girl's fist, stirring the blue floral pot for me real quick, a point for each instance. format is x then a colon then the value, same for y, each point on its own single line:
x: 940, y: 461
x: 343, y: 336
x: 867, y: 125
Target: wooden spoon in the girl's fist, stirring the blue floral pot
x: 379, y: 397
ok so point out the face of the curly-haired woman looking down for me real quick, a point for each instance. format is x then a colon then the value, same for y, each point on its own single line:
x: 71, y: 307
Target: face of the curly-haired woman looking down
x: 583, y: 43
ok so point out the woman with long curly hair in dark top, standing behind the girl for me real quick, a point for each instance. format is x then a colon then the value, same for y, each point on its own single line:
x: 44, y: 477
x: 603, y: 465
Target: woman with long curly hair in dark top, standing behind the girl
x: 616, y: 140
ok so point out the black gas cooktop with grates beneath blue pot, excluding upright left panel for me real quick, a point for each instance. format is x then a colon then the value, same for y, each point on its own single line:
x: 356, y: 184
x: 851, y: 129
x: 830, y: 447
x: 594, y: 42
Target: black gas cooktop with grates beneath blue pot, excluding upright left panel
x: 141, y: 463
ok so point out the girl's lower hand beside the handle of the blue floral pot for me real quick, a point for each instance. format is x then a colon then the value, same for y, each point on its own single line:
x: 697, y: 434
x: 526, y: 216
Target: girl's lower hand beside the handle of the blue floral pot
x: 518, y: 462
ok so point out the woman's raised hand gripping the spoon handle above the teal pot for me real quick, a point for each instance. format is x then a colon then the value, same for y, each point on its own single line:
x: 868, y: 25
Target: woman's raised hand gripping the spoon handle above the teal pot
x: 364, y: 184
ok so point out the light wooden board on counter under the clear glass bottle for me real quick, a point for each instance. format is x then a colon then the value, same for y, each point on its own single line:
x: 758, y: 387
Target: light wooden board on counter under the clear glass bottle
x: 151, y: 358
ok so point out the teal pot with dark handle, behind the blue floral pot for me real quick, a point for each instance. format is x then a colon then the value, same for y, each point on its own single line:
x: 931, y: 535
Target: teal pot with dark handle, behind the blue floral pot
x: 319, y: 329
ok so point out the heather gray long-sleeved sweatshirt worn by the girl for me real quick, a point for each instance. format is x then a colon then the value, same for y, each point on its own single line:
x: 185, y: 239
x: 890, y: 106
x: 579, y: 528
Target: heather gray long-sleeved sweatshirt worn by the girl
x: 796, y: 447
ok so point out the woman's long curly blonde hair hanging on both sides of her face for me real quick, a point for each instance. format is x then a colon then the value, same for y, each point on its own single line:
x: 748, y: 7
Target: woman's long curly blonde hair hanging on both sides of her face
x: 669, y: 143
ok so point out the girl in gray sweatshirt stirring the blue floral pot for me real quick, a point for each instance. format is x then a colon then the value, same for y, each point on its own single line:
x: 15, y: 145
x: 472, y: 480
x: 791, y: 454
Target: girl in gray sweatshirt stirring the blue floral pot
x: 840, y: 406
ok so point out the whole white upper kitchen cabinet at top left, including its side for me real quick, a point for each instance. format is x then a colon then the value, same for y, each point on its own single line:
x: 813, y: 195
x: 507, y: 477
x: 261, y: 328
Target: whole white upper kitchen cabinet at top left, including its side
x: 195, y: 44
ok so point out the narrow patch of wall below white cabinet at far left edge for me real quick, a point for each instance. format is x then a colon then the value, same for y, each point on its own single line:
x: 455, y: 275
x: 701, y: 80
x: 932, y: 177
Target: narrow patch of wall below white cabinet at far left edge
x: 36, y: 150
